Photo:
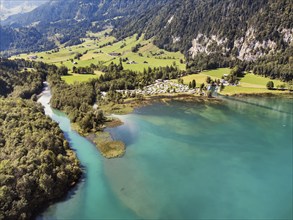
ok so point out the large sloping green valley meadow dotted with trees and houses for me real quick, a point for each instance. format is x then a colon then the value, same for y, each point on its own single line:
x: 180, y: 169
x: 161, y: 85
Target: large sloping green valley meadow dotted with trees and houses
x: 95, y: 49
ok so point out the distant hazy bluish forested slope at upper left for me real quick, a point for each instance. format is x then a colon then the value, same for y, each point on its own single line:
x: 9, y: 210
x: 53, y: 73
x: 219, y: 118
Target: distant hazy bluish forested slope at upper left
x: 58, y: 22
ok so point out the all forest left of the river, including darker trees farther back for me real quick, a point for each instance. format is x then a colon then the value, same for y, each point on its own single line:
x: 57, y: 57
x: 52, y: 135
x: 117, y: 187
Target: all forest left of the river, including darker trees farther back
x: 37, y: 165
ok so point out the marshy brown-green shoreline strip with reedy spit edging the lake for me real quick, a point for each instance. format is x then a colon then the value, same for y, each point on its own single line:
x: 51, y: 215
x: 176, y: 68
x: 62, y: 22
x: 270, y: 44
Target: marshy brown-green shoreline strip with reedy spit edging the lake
x: 111, y: 148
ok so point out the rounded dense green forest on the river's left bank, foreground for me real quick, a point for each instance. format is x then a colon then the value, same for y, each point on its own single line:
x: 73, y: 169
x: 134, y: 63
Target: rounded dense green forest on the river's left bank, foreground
x: 36, y: 162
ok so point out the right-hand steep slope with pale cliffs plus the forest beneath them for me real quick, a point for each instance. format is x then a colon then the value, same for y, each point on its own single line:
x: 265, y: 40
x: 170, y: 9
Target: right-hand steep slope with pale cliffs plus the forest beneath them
x: 258, y: 35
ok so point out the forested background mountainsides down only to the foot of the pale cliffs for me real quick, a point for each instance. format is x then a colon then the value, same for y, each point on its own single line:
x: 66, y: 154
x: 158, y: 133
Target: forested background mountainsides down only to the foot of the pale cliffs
x: 246, y: 29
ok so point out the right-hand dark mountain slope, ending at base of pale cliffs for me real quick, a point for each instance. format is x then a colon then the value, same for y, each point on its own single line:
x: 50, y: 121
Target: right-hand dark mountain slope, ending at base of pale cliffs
x: 244, y: 28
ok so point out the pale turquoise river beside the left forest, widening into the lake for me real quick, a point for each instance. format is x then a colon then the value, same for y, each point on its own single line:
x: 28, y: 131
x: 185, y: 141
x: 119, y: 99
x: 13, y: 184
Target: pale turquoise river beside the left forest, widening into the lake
x: 91, y: 198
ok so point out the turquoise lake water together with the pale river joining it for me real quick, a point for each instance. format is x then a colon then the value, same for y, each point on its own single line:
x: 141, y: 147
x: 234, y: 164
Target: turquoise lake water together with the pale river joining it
x: 187, y: 161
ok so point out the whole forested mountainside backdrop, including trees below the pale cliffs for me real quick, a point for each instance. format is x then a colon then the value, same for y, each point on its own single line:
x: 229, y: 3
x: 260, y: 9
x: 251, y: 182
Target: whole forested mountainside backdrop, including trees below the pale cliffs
x: 210, y: 33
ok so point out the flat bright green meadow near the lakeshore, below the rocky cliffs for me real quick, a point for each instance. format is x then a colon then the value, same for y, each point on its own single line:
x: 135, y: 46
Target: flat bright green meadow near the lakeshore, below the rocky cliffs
x: 250, y: 83
